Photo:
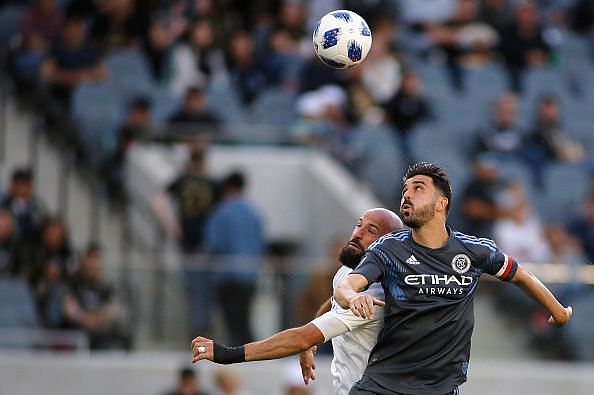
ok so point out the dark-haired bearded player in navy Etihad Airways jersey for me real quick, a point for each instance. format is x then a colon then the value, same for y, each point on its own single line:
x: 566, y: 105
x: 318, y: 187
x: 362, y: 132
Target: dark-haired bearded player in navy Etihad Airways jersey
x: 429, y: 274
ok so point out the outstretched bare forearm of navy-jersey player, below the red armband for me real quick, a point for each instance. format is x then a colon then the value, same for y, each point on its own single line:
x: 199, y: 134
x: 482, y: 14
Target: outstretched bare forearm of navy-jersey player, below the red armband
x: 539, y: 292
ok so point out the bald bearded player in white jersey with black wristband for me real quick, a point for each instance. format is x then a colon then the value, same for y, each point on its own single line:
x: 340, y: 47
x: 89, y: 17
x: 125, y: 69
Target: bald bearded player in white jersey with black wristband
x: 352, y: 337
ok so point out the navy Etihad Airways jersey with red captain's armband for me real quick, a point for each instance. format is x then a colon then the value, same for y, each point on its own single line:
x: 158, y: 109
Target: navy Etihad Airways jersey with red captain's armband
x: 424, y: 347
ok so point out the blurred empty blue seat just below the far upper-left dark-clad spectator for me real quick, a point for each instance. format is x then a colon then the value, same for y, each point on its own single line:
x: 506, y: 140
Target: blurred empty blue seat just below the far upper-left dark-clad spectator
x: 99, y: 111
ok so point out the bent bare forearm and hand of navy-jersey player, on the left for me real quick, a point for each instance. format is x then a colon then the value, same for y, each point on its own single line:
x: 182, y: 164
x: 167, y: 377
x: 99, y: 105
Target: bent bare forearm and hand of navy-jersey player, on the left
x: 347, y: 295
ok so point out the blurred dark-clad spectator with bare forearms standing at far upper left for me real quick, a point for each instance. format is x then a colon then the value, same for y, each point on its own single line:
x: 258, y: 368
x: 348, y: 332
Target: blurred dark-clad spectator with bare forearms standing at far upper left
x: 71, y: 61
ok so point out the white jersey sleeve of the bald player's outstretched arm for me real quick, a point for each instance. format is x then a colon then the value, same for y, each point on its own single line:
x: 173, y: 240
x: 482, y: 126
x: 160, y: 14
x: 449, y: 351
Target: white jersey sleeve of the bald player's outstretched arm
x: 338, y: 321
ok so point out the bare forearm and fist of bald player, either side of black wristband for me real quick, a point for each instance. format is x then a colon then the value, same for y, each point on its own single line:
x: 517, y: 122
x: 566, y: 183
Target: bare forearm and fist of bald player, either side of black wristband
x: 283, y: 344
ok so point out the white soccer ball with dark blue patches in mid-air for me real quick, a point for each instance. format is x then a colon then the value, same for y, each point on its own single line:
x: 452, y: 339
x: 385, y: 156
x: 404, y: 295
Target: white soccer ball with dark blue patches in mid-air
x: 342, y: 39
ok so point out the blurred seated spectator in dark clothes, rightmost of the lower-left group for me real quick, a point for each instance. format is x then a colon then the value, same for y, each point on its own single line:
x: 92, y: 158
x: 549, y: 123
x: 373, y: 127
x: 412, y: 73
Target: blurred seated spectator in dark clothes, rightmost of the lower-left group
x: 91, y: 305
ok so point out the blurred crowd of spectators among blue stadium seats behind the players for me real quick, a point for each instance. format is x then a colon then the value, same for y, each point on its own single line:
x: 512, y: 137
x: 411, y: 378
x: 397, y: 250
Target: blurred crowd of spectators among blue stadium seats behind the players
x: 453, y: 82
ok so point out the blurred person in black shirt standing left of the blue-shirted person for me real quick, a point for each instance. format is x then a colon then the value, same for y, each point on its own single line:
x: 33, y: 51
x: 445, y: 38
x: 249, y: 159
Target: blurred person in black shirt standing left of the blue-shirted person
x: 194, y: 194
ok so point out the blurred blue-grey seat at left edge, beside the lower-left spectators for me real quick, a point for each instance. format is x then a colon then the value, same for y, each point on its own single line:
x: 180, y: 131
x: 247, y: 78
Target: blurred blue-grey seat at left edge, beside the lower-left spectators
x: 17, y: 308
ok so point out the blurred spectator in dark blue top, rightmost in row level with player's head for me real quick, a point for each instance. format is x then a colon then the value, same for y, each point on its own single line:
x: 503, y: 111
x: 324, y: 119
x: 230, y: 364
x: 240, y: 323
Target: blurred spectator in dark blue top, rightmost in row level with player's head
x: 548, y: 141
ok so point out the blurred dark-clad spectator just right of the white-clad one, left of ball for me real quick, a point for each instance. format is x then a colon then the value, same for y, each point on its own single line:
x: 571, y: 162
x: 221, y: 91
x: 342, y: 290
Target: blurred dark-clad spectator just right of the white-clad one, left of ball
x: 247, y: 73
